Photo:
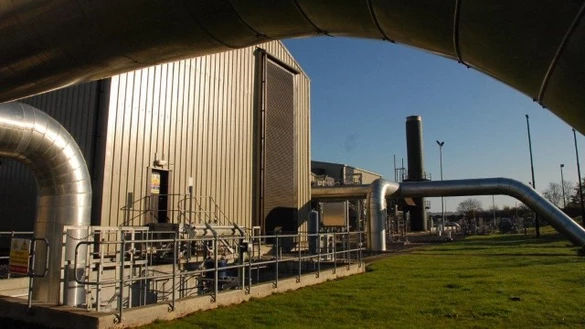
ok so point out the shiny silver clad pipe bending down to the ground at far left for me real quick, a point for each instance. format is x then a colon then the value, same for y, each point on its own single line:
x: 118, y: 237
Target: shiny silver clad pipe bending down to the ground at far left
x: 33, y: 138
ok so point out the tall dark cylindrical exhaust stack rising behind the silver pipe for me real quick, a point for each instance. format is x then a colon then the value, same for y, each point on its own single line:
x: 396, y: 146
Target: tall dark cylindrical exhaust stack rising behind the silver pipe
x: 416, y: 172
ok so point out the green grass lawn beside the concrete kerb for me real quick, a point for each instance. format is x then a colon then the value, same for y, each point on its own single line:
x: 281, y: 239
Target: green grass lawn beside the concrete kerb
x: 505, y: 281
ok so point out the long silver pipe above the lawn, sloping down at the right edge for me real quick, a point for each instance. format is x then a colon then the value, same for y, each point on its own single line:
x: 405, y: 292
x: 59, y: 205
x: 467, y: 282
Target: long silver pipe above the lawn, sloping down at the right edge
x: 491, y: 186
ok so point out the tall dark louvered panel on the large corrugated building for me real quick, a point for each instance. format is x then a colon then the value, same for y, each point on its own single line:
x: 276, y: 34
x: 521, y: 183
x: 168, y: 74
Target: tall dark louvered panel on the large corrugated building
x: 280, y: 191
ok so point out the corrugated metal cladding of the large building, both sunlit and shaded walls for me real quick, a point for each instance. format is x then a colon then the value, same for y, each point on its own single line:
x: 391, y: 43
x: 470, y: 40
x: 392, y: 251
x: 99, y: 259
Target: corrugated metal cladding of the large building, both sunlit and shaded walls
x: 196, y: 114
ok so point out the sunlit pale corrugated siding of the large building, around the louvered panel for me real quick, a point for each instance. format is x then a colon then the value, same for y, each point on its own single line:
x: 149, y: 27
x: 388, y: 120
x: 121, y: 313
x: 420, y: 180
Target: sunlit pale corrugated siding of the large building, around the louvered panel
x: 196, y: 114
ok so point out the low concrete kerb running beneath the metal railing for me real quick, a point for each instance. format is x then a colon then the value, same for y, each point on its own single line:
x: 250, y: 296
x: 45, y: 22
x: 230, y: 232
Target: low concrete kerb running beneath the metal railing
x: 67, y: 317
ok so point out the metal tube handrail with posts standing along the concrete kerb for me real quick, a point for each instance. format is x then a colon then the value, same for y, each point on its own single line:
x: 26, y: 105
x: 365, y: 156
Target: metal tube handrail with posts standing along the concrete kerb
x: 243, y: 266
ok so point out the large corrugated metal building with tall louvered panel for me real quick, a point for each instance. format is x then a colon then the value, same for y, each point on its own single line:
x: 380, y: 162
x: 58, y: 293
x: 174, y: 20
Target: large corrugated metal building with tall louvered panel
x: 214, y: 131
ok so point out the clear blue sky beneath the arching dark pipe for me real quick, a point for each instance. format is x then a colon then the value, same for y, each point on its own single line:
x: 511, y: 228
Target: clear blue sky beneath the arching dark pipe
x: 363, y: 90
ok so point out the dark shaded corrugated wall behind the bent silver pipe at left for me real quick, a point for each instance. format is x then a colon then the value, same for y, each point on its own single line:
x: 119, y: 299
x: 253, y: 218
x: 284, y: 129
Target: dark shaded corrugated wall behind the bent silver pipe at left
x: 76, y: 109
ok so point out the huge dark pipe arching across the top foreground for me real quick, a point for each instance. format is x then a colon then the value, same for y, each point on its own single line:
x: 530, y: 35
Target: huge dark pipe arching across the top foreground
x: 537, y: 47
